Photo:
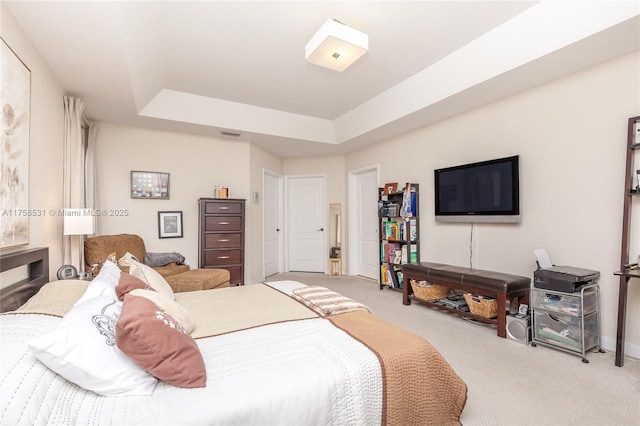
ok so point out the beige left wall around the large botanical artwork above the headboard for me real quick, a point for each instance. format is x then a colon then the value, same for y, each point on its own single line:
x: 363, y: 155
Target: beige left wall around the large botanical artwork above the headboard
x: 45, y: 169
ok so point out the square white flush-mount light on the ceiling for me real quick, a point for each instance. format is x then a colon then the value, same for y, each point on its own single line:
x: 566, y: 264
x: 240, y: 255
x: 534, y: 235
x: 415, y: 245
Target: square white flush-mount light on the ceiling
x: 336, y: 46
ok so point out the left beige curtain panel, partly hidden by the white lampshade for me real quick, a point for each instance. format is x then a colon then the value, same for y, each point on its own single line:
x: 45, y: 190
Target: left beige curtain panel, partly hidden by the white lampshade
x: 74, y: 173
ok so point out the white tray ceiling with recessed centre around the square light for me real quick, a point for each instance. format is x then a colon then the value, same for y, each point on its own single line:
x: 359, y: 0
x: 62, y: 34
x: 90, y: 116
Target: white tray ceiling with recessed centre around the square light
x: 206, y: 66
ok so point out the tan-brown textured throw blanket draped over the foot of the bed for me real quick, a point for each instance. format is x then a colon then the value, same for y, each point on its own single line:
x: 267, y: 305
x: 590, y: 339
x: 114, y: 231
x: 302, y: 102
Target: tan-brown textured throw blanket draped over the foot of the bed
x: 419, y: 386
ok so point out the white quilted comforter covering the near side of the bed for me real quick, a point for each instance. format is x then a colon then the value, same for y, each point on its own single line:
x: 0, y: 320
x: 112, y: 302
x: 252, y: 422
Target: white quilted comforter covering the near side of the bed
x: 293, y: 373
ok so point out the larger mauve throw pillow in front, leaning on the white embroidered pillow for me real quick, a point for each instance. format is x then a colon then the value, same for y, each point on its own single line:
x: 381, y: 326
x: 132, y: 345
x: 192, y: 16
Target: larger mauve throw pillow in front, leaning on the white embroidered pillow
x: 159, y: 344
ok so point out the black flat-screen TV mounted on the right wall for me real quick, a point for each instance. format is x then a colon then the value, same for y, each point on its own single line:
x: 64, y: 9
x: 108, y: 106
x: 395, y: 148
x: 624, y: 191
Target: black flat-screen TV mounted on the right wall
x: 487, y: 191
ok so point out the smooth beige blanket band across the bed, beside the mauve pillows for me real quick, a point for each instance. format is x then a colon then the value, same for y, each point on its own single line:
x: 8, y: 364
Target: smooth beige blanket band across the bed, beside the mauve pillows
x: 231, y: 309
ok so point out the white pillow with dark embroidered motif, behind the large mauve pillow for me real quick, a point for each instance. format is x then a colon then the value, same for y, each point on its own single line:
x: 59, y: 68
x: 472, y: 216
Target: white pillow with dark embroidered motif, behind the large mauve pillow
x: 82, y: 347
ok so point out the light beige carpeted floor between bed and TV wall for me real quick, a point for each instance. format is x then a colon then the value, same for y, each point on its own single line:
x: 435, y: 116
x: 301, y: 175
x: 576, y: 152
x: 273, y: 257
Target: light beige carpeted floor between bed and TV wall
x: 509, y: 383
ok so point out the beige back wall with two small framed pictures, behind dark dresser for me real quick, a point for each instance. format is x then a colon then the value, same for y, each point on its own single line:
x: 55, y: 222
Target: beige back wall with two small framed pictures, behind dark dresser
x: 195, y: 164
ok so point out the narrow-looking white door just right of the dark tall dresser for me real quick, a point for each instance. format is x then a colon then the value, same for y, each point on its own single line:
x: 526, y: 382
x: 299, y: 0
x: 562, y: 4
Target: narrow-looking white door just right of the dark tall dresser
x: 272, y: 224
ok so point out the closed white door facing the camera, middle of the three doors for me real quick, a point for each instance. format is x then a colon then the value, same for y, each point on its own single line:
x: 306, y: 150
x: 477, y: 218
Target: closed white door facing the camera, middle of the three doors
x: 306, y: 224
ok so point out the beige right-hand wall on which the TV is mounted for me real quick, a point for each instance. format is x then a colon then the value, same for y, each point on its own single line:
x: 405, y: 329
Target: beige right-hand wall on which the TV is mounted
x: 570, y: 135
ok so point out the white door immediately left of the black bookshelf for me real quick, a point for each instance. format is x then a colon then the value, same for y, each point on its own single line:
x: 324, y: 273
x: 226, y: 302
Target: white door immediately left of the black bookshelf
x: 366, y: 245
